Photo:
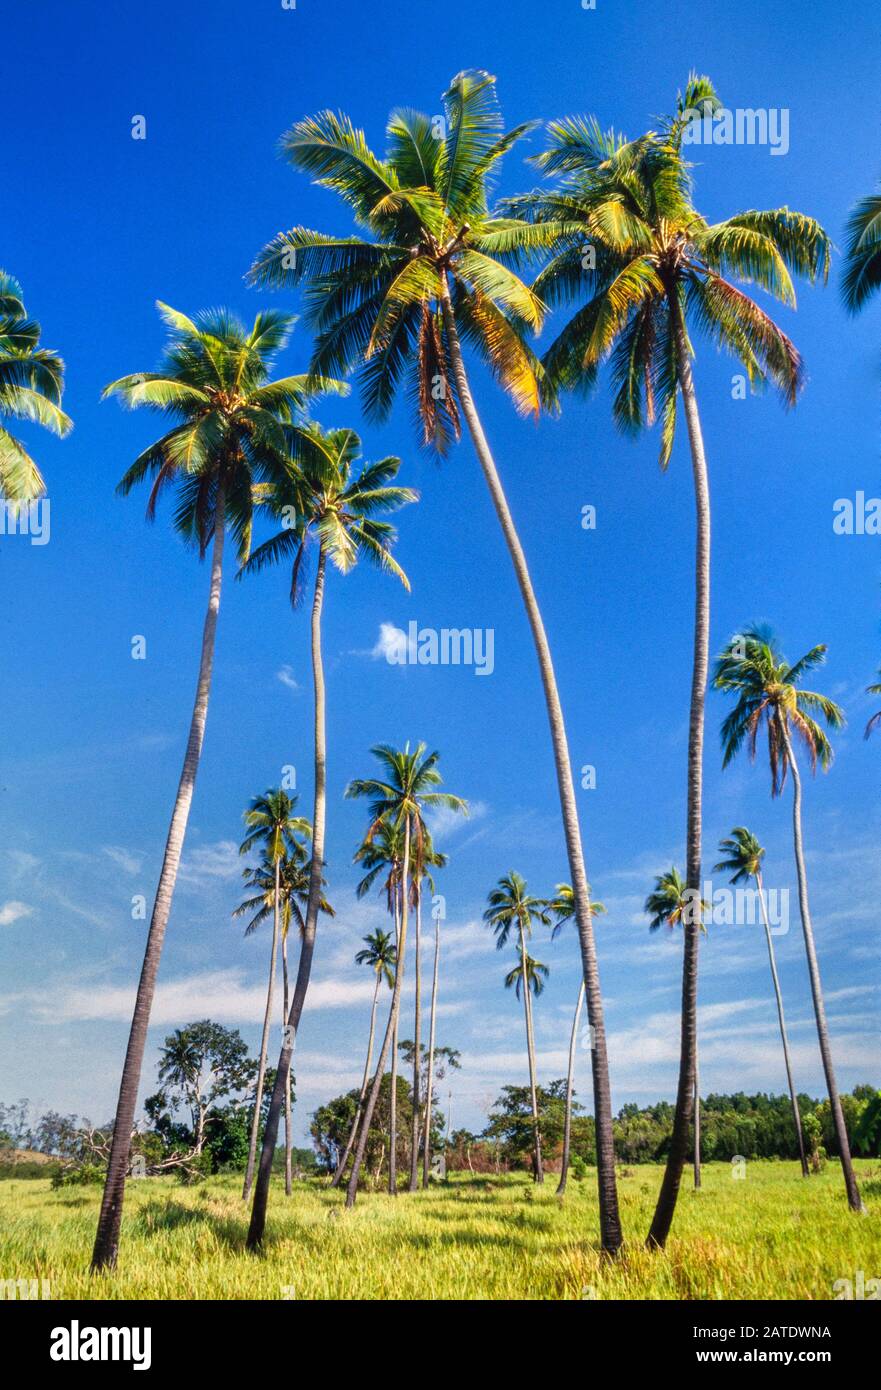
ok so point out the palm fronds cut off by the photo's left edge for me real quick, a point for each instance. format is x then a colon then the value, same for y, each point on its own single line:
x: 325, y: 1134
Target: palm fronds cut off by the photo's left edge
x: 31, y: 387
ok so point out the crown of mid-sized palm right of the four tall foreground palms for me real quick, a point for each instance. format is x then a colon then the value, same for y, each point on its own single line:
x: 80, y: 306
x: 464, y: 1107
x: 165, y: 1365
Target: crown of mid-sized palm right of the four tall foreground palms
x: 768, y: 694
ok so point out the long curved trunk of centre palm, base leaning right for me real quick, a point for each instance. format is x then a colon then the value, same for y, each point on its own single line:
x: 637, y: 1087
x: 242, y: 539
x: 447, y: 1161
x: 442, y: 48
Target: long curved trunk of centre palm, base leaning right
x: 611, y: 1221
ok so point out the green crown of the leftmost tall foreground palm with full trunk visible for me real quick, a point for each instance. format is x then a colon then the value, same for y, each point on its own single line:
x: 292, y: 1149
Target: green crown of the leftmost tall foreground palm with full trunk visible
x: 231, y: 418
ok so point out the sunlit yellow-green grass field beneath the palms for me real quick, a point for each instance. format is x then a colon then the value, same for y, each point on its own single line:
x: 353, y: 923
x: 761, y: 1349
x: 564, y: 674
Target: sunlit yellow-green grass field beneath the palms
x: 768, y: 1236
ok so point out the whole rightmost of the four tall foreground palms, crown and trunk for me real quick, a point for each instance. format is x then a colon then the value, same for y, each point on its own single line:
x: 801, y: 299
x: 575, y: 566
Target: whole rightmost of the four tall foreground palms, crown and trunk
x: 658, y: 273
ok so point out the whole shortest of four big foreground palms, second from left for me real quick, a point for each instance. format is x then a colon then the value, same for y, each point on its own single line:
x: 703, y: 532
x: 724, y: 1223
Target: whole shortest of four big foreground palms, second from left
x: 323, y: 497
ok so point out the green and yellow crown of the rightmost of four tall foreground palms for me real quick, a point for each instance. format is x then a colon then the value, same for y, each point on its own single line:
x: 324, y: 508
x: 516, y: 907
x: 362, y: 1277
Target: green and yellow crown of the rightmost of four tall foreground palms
x: 659, y: 266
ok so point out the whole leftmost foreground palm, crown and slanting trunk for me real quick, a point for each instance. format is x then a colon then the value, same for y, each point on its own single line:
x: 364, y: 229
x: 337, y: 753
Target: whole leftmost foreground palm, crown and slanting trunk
x: 230, y: 420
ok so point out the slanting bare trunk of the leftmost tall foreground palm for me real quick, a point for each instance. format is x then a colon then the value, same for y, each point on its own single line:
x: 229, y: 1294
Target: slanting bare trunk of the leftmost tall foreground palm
x: 110, y: 1220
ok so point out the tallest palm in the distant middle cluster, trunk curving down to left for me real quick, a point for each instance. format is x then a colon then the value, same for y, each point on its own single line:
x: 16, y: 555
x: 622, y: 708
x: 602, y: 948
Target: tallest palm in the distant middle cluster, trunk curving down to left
x: 401, y: 803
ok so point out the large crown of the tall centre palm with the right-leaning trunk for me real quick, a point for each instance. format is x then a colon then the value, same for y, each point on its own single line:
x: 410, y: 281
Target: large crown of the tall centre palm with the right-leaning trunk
x: 377, y: 304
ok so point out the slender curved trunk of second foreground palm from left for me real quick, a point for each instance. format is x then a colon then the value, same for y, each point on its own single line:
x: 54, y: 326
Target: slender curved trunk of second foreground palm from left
x: 308, y: 950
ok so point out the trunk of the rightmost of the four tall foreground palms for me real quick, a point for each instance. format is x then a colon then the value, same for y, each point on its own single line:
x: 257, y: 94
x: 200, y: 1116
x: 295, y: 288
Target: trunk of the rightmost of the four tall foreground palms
x: 689, y: 1043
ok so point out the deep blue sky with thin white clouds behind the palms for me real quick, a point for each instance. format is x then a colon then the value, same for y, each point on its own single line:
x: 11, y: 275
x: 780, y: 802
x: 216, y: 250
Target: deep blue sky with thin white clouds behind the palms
x: 98, y: 227
